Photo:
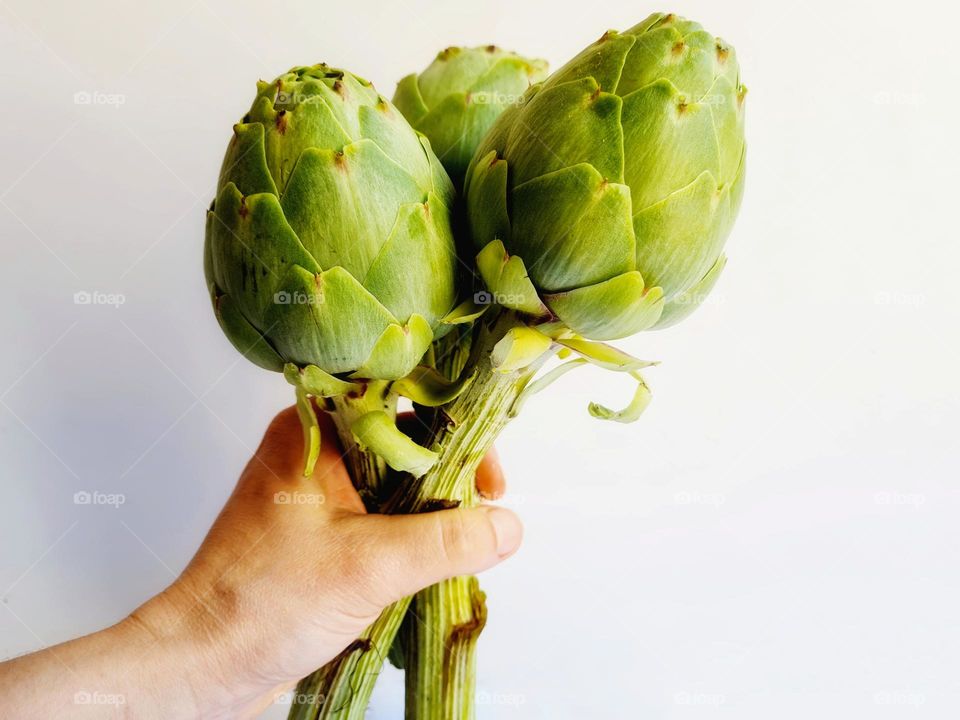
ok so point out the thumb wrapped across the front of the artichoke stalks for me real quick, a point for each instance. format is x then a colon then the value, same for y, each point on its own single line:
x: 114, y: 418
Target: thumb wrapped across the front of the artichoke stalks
x: 415, y: 551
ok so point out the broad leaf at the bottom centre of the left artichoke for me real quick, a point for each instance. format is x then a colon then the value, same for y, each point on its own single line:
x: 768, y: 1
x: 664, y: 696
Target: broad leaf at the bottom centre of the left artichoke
x: 329, y: 320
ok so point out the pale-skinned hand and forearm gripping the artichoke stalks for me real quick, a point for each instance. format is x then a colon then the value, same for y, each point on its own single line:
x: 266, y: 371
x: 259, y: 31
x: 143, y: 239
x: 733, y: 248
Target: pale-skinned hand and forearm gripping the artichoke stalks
x: 276, y: 590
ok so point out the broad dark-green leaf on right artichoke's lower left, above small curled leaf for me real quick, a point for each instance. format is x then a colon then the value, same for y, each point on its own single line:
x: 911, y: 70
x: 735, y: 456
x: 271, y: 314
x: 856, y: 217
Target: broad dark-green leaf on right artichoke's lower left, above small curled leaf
x: 584, y: 240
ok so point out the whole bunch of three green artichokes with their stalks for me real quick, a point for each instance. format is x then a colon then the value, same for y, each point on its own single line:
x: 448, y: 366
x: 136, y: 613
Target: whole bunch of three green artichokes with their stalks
x: 598, y: 201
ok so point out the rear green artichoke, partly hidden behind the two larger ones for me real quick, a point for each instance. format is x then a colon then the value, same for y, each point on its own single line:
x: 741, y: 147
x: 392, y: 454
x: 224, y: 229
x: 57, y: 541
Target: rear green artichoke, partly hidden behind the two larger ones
x: 459, y: 96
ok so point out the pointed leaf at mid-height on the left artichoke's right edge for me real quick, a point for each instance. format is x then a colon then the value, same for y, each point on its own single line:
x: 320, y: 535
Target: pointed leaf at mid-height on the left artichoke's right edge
x: 414, y: 270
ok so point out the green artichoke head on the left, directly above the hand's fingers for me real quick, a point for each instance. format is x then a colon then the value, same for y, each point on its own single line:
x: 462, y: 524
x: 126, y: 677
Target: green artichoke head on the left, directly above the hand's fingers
x: 329, y: 242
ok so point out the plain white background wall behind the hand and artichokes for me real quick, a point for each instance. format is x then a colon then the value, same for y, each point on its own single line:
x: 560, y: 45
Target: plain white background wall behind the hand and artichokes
x: 776, y: 537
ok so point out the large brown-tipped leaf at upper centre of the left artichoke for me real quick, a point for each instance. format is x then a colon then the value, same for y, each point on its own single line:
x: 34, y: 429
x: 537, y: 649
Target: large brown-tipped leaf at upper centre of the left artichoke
x: 328, y: 201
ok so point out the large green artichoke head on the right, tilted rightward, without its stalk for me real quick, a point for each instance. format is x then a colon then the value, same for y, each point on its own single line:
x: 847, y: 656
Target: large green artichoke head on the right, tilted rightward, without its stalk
x: 604, y: 199
